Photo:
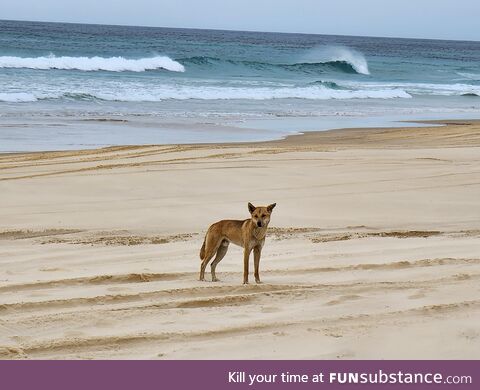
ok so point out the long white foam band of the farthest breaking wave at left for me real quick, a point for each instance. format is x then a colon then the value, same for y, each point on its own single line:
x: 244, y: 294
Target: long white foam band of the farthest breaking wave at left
x: 112, y: 64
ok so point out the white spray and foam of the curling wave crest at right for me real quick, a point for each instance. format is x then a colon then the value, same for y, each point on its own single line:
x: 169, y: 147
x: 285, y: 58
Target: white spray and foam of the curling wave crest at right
x: 326, y: 54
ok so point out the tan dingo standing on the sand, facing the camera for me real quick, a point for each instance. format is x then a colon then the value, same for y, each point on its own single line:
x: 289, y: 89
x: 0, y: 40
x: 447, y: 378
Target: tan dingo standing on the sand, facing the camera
x: 249, y: 234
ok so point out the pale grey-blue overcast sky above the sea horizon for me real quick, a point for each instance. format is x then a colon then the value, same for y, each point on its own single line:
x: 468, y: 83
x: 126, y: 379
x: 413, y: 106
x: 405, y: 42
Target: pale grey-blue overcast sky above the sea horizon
x: 443, y: 19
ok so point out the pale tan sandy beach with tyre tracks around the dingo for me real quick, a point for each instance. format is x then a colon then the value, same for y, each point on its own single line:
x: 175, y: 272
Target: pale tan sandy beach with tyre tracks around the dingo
x: 373, y: 251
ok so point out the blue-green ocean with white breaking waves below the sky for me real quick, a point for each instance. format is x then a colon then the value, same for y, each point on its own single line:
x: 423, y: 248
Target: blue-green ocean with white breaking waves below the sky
x: 67, y: 86
